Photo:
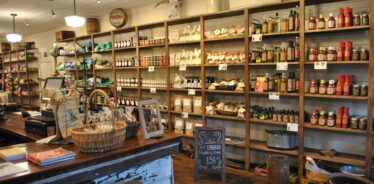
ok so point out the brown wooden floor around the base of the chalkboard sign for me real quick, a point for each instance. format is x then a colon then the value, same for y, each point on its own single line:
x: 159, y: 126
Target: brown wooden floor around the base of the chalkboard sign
x: 184, y: 174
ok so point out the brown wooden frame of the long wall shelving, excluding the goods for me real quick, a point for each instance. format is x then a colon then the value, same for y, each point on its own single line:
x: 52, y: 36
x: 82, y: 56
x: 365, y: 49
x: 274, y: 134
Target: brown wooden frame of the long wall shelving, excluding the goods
x: 245, y: 68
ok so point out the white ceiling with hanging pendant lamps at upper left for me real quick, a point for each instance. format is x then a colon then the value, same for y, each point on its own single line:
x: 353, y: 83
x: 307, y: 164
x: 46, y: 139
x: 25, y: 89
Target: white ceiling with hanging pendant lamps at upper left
x: 39, y: 12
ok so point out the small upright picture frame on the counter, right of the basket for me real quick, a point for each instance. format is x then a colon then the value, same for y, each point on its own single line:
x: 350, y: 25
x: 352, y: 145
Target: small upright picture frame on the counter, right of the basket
x: 150, y: 118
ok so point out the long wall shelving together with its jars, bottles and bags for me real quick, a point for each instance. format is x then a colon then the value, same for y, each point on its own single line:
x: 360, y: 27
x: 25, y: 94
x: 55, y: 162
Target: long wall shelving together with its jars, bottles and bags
x: 274, y: 68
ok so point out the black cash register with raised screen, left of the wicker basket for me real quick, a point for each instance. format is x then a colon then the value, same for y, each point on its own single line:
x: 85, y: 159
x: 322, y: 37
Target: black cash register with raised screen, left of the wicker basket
x: 45, y: 124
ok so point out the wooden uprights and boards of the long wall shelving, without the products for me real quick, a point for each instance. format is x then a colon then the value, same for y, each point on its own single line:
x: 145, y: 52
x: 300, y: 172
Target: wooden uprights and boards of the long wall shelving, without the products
x: 303, y: 100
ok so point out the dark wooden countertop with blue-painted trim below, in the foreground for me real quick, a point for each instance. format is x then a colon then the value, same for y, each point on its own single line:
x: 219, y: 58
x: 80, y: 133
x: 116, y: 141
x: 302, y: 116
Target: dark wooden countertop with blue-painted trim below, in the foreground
x: 88, y: 166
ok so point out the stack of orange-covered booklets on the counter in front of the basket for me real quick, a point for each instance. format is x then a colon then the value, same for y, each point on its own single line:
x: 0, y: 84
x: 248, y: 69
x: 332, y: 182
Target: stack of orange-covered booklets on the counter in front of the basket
x: 51, y: 156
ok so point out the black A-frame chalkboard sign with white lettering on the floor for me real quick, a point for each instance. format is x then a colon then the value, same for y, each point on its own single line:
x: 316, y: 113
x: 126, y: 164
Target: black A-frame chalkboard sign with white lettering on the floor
x: 210, y: 151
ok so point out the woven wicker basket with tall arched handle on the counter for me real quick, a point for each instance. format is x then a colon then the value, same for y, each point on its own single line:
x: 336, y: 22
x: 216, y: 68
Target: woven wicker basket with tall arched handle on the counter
x: 99, y: 141
